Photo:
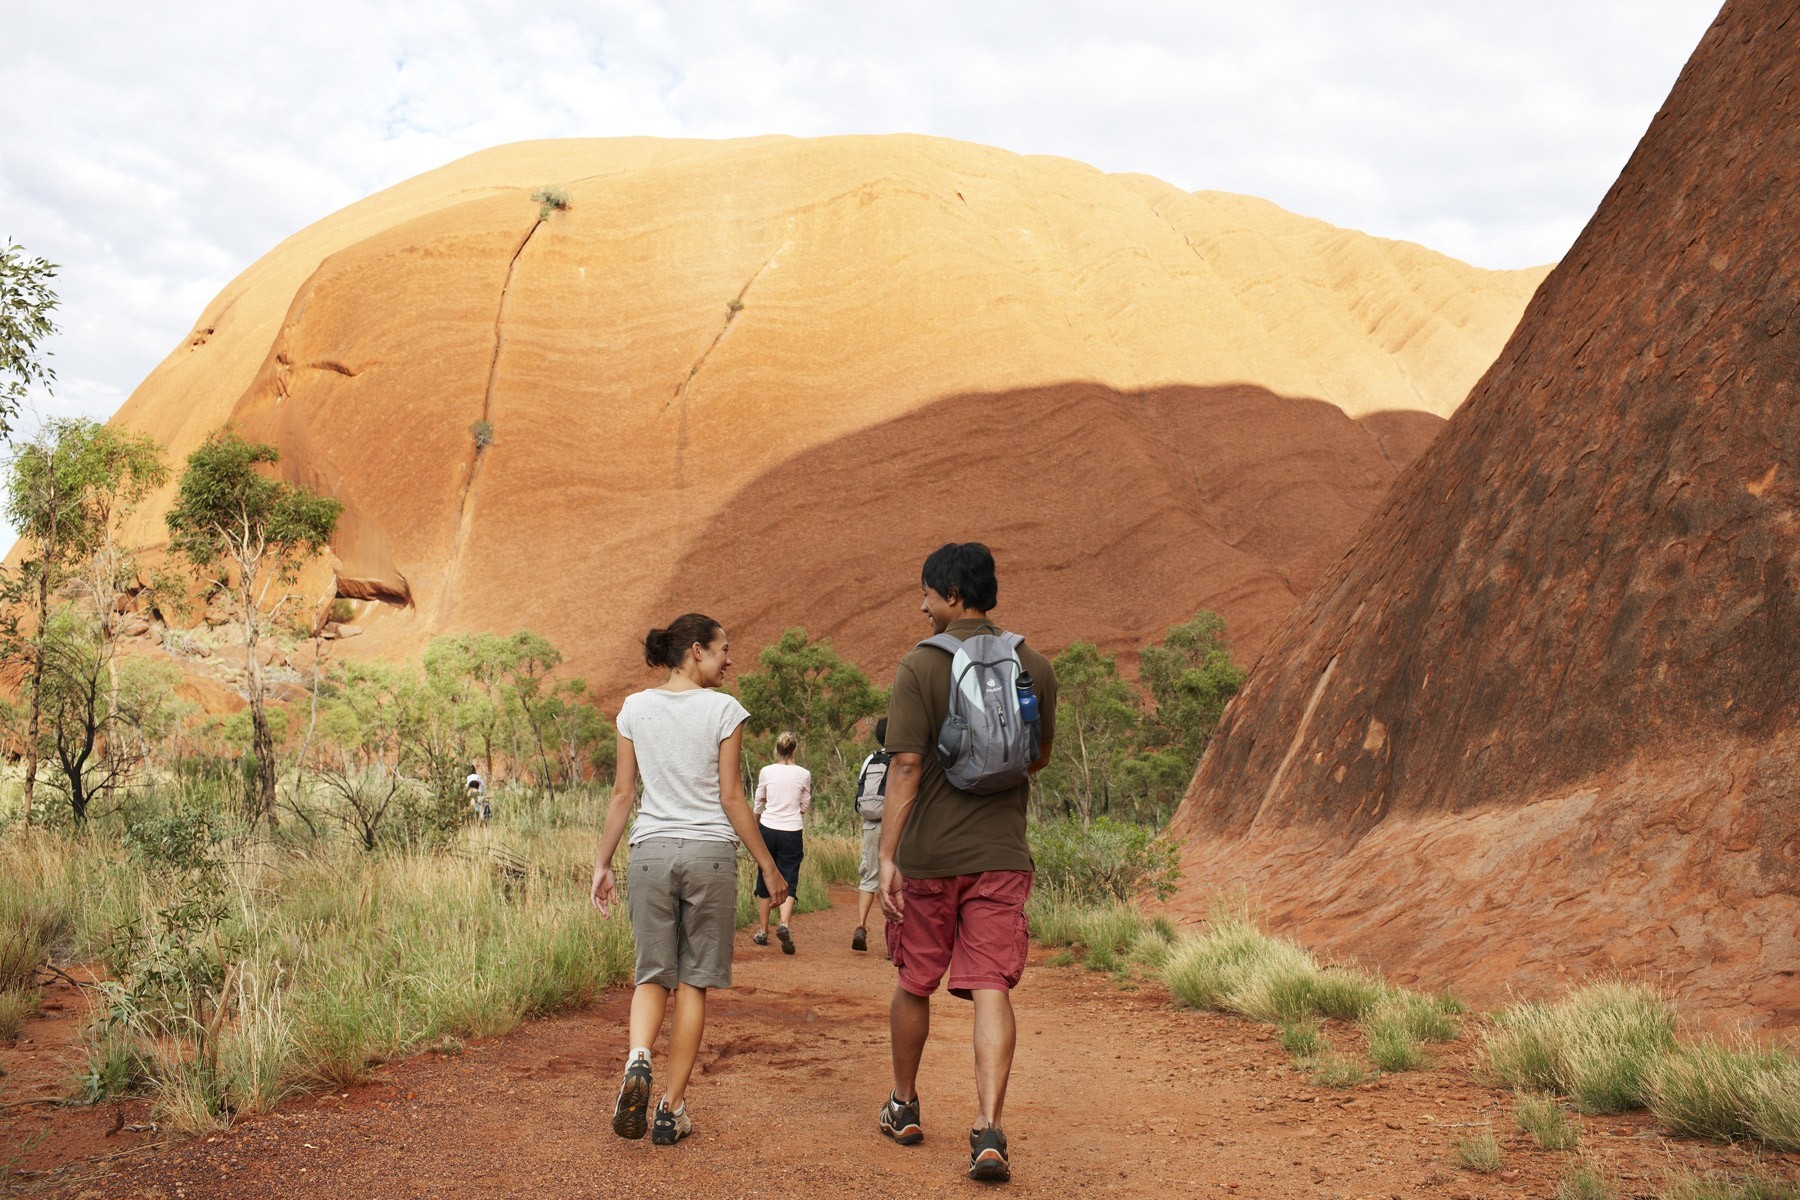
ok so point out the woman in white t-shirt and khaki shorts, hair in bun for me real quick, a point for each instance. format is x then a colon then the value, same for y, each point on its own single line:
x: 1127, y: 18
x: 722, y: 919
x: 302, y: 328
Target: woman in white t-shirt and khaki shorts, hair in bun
x: 687, y: 742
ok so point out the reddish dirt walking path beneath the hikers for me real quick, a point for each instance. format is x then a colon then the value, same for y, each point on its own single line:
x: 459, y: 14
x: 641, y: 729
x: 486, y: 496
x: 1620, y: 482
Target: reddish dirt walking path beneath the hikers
x: 1113, y: 1093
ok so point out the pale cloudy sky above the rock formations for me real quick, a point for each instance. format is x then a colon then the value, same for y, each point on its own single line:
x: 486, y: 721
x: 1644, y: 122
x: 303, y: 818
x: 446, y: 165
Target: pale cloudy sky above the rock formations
x: 156, y: 150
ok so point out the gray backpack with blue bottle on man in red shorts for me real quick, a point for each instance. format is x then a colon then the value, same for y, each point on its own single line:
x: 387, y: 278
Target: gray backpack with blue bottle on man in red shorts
x: 985, y: 746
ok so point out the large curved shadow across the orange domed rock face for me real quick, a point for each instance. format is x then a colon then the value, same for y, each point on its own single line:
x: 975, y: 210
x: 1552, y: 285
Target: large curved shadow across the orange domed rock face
x: 1111, y: 515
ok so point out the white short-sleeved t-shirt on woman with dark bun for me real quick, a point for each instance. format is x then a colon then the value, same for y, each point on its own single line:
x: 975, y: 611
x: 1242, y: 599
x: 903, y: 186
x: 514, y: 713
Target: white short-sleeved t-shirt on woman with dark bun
x: 676, y: 737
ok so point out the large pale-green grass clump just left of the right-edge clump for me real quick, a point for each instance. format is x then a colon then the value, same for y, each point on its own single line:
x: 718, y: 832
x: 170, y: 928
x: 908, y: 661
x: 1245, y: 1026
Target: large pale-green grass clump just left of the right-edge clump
x: 1597, y: 1046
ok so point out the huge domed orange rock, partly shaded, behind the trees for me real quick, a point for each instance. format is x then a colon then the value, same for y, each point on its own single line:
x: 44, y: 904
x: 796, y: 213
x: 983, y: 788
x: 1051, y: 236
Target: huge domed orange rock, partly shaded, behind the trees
x: 584, y: 386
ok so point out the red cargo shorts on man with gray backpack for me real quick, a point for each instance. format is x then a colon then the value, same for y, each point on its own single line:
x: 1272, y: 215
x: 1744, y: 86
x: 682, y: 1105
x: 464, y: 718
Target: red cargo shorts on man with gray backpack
x: 971, y: 926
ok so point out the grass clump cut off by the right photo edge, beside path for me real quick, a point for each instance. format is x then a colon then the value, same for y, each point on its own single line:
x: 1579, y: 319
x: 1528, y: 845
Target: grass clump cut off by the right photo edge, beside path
x: 1709, y: 1089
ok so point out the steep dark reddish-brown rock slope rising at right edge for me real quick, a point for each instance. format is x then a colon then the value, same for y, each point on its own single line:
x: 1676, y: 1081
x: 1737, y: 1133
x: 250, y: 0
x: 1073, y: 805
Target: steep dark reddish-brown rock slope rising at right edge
x: 1543, y: 719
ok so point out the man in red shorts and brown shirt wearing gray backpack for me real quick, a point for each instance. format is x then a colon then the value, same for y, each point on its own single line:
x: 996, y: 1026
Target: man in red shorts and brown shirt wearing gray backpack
x: 969, y: 722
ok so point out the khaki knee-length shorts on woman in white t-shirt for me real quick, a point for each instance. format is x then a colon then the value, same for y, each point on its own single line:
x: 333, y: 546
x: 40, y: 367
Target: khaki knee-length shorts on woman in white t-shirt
x: 683, y: 897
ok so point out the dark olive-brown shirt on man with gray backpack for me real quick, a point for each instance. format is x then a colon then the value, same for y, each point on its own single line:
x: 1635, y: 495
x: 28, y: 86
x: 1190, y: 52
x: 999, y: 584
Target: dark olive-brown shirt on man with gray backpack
x: 953, y: 832
